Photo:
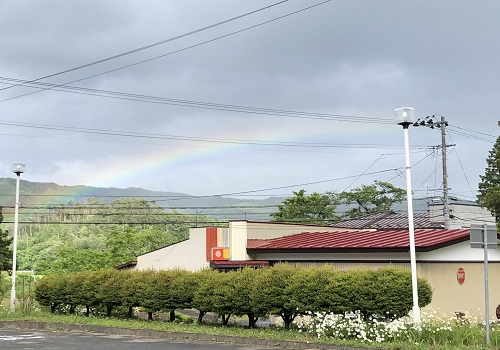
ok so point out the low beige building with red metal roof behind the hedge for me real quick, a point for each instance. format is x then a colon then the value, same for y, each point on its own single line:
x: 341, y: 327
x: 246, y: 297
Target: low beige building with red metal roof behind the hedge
x: 444, y: 257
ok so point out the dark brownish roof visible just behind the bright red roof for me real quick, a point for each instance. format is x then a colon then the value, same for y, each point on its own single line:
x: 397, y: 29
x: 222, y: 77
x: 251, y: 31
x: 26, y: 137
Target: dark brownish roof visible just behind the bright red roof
x: 389, y: 221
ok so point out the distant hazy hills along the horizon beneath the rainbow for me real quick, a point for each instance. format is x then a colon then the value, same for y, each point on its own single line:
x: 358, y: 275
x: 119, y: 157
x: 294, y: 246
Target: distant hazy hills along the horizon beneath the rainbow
x: 43, y: 194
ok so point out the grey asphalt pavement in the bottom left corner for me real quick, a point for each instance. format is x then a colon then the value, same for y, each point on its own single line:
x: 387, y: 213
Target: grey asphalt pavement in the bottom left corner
x: 45, y: 340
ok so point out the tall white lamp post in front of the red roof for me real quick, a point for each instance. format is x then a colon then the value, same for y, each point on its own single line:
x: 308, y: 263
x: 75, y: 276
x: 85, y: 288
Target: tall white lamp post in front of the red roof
x: 405, y: 117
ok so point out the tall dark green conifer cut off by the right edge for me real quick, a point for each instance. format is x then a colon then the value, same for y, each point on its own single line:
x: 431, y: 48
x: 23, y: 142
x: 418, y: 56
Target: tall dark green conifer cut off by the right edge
x: 489, y: 187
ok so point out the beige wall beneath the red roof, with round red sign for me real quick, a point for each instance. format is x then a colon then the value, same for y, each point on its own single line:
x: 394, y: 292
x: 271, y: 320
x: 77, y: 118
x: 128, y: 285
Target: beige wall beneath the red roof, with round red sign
x: 448, y: 295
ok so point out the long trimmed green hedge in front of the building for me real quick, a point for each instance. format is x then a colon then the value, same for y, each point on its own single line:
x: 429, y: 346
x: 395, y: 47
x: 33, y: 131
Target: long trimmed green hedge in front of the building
x: 281, y: 290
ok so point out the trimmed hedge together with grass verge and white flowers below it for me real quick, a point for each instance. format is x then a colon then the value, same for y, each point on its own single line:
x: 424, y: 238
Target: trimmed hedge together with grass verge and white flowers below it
x: 317, y: 303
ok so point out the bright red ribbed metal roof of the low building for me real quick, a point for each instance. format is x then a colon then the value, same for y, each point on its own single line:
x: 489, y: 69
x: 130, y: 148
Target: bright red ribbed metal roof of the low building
x: 395, y: 240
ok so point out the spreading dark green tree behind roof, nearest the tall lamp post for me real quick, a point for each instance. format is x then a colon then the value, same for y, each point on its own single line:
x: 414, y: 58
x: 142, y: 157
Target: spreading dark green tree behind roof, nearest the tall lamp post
x: 370, y: 198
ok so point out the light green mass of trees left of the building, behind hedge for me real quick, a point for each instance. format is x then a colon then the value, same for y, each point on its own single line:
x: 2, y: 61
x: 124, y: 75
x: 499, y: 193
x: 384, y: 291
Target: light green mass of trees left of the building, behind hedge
x: 96, y: 235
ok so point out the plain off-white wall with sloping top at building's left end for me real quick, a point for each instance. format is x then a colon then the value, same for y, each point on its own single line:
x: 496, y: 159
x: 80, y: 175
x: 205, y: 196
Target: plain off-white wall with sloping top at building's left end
x: 189, y: 255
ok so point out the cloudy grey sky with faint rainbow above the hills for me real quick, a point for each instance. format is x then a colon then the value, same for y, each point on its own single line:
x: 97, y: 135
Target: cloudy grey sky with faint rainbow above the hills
x: 247, y: 98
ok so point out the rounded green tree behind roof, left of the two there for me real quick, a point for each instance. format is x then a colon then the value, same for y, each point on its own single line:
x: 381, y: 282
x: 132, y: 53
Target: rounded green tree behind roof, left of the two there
x: 313, y: 209
